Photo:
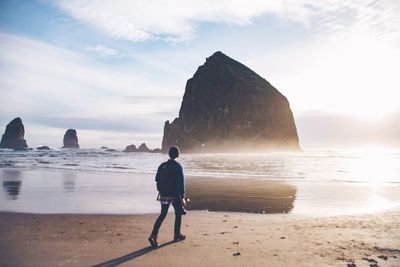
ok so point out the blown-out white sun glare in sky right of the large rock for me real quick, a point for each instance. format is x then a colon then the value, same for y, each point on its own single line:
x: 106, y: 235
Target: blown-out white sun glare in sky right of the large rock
x: 356, y: 76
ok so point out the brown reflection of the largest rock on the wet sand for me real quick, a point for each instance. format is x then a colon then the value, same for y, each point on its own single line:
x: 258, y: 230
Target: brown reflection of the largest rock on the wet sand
x: 236, y: 195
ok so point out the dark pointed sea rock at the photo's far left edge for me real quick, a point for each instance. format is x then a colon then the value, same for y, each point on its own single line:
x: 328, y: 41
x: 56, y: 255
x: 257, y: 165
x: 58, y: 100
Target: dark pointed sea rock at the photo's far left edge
x: 13, y: 136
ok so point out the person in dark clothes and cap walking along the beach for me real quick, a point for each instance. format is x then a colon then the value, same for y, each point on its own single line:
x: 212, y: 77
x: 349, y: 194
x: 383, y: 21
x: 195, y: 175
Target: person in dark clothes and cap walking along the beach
x: 171, y: 188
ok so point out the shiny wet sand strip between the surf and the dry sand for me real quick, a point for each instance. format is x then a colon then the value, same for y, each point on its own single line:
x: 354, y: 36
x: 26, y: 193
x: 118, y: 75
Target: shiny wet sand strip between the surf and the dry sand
x: 76, y: 192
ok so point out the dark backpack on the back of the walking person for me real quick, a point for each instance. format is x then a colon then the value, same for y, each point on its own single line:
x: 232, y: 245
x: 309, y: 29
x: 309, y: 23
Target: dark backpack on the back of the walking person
x: 165, y: 180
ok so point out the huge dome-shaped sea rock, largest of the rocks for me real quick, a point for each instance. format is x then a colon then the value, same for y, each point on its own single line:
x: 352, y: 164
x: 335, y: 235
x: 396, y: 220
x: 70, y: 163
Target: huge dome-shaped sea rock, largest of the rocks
x: 229, y: 107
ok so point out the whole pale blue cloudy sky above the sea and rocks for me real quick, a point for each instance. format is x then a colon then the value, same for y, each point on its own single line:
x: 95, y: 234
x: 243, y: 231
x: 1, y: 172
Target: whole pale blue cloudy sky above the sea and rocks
x: 116, y: 70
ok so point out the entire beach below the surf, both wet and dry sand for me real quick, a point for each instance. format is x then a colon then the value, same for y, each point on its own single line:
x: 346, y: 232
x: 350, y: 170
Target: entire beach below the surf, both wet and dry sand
x: 86, y: 218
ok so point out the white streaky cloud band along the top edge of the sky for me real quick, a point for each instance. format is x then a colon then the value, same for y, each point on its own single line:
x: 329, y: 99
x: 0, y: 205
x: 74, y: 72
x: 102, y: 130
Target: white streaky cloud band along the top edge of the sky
x: 178, y: 19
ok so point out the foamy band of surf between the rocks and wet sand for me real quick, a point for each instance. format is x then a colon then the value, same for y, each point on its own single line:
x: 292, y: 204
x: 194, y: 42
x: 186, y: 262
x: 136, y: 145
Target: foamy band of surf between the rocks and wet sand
x: 321, y: 165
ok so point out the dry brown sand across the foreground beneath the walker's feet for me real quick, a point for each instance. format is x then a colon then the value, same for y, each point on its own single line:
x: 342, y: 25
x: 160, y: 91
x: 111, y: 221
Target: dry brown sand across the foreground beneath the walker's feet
x: 213, y: 239
